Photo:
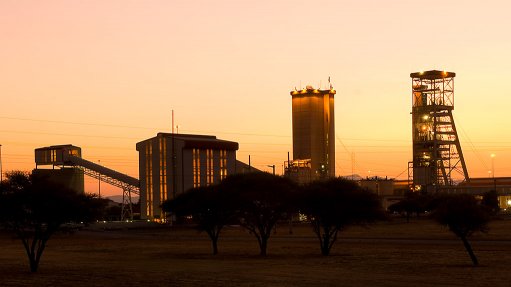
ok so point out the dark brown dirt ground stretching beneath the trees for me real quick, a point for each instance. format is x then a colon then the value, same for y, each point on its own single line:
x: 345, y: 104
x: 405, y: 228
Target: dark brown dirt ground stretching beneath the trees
x: 419, y: 253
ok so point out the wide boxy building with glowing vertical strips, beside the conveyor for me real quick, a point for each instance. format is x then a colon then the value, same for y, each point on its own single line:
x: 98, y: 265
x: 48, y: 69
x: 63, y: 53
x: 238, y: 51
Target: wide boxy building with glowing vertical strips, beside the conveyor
x: 170, y: 164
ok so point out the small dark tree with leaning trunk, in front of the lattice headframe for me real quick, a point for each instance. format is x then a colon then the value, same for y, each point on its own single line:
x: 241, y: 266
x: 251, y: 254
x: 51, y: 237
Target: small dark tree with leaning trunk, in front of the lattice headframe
x: 463, y: 214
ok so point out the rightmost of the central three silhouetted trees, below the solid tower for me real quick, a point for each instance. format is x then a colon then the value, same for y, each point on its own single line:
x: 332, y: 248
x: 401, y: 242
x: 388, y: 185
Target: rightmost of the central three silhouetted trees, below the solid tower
x: 336, y: 203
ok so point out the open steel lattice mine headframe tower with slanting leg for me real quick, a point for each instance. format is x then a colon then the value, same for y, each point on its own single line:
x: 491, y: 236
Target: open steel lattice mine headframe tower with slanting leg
x: 437, y: 156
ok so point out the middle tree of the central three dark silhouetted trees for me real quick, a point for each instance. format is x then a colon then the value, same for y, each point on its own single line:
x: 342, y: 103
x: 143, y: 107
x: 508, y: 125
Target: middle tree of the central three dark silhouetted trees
x: 262, y: 200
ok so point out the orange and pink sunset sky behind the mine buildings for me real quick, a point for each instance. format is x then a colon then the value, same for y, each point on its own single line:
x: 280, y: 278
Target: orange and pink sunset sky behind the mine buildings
x: 104, y: 75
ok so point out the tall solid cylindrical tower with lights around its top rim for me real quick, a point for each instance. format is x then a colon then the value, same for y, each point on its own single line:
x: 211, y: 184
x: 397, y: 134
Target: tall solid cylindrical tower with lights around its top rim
x: 313, y: 135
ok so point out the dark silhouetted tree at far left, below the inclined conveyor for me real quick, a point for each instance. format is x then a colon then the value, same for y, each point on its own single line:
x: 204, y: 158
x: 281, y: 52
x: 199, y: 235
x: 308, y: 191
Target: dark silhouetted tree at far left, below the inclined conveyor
x: 34, y: 209
